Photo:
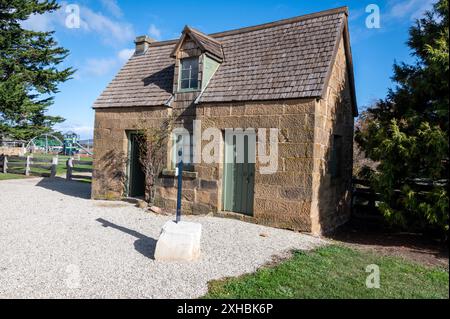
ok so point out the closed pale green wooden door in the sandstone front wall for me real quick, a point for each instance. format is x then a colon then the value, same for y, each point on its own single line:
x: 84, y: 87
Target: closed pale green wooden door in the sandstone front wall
x: 239, y: 178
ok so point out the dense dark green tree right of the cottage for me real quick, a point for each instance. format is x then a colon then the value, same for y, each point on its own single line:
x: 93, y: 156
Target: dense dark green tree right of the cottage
x: 408, y: 130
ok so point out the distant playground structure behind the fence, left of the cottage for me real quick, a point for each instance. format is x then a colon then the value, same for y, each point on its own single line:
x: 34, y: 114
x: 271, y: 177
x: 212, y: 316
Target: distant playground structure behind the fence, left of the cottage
x: 50, y: 144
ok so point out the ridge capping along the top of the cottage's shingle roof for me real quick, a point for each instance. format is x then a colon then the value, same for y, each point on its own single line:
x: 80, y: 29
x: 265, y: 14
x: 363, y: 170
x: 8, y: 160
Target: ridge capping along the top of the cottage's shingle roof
x: 343, y: 9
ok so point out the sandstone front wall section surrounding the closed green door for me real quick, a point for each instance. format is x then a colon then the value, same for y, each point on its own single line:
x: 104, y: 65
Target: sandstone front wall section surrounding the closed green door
x: 282, y: 199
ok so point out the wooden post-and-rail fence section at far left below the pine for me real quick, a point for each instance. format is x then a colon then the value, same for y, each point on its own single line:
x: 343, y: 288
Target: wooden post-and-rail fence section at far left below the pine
x: 24, y: 165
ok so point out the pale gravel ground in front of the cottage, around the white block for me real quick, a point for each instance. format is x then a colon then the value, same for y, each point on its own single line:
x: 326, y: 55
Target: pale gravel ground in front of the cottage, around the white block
x: 56, y: 243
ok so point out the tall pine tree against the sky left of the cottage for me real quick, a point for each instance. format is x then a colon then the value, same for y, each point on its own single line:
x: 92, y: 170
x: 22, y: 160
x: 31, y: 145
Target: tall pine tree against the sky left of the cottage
x: 29, y: 76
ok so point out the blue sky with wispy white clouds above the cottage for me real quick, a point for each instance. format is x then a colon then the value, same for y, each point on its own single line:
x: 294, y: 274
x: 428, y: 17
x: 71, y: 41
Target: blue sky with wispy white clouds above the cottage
x: 104, y: 40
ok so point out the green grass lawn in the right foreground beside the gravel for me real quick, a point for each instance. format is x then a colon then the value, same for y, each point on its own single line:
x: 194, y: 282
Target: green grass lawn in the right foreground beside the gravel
x: 335, y: 272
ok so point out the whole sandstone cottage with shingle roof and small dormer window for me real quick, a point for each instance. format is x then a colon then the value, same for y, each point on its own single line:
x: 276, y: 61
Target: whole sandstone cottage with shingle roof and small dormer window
x: 293, y: 75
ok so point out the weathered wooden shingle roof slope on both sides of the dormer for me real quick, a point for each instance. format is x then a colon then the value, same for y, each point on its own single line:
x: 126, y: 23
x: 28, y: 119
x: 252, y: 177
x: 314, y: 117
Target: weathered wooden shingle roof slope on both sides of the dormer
x: 281, y: 60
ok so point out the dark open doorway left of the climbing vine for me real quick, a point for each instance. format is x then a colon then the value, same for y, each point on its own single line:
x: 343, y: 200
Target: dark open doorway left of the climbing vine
x: 136, y: 176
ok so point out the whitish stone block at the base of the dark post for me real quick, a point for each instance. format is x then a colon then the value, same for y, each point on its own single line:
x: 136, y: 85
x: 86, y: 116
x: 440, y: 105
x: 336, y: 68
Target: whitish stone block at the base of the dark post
x: 179, y: 242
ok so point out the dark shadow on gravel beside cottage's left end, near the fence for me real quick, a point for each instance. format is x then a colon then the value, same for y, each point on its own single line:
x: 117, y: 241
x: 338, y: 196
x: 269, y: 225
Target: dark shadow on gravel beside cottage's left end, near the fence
x: 69, y: 188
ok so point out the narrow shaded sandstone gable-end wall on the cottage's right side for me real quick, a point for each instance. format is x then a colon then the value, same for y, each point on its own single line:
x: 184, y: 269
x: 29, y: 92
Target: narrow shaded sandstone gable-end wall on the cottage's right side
x: 334, y: 116
